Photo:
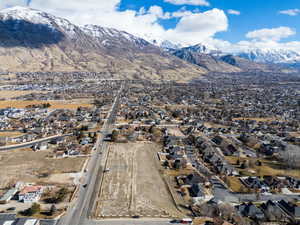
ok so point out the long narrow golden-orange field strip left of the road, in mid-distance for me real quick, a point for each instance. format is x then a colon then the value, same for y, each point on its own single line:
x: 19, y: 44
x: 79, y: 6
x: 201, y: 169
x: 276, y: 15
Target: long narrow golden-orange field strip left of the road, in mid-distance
x: 54, y: 104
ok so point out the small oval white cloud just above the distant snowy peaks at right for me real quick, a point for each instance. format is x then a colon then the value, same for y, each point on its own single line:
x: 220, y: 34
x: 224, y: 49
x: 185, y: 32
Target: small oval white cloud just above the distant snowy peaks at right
x: 273, y: 34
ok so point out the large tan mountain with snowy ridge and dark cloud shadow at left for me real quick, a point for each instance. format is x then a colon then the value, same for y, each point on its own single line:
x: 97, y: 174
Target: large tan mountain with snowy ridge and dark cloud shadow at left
x: 32, y: 40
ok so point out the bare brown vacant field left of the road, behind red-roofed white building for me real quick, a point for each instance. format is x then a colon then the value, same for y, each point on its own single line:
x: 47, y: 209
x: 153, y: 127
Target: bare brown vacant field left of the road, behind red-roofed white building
x: 28, y: 166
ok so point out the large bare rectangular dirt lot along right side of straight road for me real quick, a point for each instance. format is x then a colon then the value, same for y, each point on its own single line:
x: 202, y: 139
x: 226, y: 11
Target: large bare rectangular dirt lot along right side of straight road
x: 134, y: 186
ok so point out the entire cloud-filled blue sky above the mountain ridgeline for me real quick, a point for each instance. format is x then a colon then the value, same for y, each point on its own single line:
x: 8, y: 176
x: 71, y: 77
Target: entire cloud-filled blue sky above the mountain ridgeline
x: 220, y: 24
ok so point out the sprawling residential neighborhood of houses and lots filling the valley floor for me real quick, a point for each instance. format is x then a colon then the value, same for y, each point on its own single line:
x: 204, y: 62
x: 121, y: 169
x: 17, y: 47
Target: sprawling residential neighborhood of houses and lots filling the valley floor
x: 215, y: 151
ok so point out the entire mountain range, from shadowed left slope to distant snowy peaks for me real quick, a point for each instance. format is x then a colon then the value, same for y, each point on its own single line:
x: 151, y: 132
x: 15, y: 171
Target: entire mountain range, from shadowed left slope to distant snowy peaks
x: 32, y: 40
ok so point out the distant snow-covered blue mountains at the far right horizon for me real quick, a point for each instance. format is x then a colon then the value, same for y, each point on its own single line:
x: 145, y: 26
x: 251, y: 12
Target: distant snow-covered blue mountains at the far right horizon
x: 270, y: 55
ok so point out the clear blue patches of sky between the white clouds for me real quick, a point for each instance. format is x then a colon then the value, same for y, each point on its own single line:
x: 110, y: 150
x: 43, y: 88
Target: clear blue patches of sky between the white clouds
x: 255, y: 14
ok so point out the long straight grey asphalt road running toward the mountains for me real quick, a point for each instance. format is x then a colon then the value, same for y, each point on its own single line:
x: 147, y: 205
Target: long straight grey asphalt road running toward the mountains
x: 79, y: 213
